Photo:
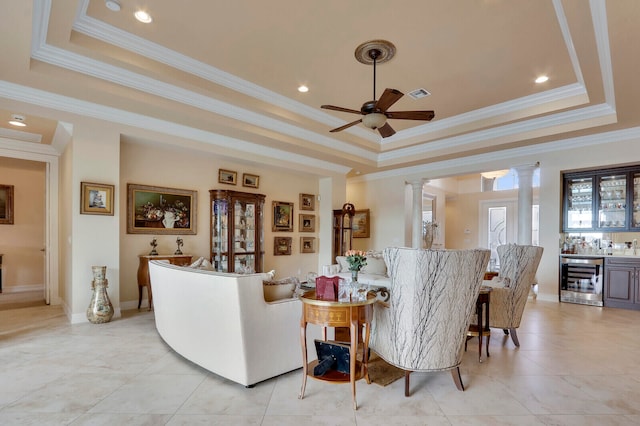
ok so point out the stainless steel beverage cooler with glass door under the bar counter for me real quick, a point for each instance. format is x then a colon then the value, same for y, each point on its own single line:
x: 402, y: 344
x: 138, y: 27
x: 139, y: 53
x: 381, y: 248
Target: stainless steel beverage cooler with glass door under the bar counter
x: 581, y: 279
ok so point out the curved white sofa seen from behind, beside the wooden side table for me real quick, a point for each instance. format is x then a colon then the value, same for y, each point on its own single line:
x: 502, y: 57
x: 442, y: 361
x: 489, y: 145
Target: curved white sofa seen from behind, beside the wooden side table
x: 221, y: 322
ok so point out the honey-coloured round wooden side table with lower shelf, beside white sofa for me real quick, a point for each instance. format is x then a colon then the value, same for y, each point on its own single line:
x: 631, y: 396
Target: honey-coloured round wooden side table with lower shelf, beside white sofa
x: 337, y: 314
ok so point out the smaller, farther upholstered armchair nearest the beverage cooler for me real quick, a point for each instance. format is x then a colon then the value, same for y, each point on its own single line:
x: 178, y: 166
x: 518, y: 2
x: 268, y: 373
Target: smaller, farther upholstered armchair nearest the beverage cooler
x: 518, y: 266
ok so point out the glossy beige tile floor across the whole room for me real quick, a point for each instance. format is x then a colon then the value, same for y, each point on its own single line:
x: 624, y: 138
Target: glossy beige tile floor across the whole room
x: 577, y: 365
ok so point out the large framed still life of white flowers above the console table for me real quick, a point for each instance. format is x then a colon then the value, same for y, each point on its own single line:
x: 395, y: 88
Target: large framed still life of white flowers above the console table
x: 156, y: 210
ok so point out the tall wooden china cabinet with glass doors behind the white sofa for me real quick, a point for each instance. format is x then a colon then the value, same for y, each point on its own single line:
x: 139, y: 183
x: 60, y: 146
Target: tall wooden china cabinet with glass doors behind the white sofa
x: 237, y: 233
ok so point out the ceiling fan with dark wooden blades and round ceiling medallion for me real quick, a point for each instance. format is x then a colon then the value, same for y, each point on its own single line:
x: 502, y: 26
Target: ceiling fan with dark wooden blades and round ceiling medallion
x: 376, y: 112
